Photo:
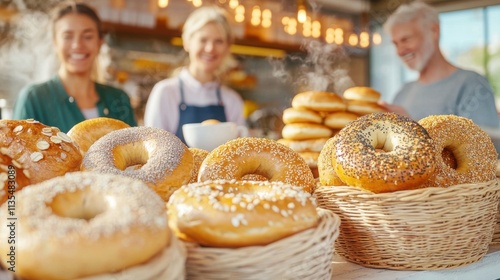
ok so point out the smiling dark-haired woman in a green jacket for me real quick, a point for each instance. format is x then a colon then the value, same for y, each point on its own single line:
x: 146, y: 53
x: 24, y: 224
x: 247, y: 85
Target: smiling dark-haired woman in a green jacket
x: 72, y: 96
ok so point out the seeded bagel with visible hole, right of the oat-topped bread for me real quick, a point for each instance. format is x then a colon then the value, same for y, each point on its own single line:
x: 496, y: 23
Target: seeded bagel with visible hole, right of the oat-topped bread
x: 152, y: 155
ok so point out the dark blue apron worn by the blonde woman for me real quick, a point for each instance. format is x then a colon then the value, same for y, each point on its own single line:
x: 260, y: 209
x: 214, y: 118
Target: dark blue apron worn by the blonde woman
x: 196, y: 114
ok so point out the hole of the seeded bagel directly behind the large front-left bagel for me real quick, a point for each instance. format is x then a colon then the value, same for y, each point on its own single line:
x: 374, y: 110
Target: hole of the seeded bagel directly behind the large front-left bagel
x: 133, y: 156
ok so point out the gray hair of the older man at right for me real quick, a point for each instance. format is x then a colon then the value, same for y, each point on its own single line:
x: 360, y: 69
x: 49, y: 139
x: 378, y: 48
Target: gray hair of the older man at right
x: 424, y: 14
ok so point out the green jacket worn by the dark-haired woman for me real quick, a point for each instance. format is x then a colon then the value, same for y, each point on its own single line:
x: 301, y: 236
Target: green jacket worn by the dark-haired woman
x: 49, y: 104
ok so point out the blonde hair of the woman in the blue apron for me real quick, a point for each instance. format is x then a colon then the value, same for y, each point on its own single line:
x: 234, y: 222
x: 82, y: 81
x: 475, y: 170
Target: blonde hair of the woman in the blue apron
x: 204, y: 15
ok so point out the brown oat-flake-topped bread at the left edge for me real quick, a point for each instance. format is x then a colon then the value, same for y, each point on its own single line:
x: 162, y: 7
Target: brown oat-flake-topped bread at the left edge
x: 32, y: 152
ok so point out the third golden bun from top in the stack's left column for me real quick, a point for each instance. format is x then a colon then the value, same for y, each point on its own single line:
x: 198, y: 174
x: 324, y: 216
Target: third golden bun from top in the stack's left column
x: 304, y: 131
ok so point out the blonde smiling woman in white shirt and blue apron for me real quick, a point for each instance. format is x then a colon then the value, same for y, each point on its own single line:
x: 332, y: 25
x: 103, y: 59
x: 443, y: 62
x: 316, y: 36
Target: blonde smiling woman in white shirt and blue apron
x: 196, y: 94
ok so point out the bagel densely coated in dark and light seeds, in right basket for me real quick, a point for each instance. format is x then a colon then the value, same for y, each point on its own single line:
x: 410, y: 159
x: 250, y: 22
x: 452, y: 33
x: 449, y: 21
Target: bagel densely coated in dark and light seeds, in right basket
x: 384, y: 152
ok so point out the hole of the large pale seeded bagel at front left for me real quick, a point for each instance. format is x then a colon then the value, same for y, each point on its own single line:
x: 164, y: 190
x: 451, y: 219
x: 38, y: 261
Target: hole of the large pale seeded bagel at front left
x: 81, y: 204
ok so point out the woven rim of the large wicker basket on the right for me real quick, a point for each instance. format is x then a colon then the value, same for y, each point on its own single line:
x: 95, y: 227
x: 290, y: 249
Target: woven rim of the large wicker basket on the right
x: 408, y: 195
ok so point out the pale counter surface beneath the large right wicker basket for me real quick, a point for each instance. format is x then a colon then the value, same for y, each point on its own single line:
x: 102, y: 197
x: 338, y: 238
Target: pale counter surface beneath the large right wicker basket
x: 487, y: 268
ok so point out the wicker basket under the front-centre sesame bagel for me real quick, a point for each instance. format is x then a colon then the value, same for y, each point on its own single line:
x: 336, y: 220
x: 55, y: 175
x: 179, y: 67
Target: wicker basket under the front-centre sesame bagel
x: 305, y: 255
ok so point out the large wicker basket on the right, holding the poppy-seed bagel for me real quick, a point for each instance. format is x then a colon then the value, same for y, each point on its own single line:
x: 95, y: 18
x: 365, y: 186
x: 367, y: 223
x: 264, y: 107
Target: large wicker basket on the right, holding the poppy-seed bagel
x: 424, y: 229
